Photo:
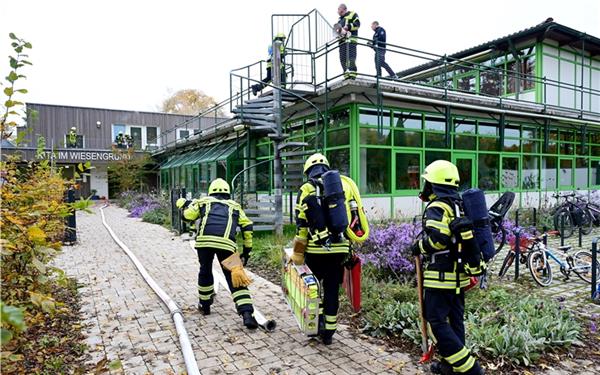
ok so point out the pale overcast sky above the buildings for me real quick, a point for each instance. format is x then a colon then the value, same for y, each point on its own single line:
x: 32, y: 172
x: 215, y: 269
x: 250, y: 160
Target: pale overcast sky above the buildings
x: 131, y: 54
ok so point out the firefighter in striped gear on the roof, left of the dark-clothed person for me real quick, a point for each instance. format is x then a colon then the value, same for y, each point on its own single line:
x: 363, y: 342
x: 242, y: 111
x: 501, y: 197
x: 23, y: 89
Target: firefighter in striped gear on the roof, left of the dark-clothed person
x: 347, y: 28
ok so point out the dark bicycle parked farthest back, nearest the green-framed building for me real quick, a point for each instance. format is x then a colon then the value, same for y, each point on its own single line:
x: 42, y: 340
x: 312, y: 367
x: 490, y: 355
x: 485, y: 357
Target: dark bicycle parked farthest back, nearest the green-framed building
x: 570, y: 215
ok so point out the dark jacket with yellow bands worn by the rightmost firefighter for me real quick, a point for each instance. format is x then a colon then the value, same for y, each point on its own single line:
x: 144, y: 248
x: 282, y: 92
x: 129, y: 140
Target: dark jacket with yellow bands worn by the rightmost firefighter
x: 439, y: 244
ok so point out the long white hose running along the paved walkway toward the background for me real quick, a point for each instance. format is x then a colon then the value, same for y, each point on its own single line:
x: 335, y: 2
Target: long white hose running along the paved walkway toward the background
x: 184, y: 340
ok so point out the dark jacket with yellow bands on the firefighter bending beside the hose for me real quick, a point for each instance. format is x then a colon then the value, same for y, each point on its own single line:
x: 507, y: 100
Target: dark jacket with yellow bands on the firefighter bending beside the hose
x: 219, y: 220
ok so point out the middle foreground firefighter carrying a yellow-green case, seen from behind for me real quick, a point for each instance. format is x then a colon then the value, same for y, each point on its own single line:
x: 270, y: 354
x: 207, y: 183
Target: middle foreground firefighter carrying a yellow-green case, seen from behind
x: 324, y: 253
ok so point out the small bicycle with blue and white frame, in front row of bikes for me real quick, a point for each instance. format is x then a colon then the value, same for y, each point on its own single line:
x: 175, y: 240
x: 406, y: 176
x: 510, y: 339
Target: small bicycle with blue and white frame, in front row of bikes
x: 539, y: 263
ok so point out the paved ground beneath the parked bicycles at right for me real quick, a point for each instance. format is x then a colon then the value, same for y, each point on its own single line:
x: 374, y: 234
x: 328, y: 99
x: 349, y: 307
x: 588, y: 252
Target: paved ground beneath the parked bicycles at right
x: 574, y: 292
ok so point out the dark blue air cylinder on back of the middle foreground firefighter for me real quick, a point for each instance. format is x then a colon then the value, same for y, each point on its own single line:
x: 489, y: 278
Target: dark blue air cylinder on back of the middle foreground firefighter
x: 334, y: 201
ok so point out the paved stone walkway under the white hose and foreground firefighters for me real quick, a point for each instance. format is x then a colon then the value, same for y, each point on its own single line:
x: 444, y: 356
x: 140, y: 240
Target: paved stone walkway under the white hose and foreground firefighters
x: 126, y: 320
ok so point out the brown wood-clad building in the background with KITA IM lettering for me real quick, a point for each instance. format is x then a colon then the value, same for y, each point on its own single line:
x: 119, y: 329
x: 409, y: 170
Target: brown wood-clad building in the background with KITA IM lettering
x: 100, y: 137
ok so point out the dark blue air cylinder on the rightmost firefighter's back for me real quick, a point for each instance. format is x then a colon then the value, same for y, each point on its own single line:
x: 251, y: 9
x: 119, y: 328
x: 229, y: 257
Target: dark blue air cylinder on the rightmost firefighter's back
x: 476, y: 210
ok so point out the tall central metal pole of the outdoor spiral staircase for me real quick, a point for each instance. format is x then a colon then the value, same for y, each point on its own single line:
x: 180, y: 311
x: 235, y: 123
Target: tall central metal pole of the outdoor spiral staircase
x: 278, y: 178
